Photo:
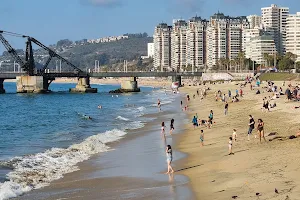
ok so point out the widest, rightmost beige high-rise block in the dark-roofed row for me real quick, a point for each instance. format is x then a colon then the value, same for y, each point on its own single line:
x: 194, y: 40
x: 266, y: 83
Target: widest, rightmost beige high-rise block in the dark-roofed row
x: 224, y: 37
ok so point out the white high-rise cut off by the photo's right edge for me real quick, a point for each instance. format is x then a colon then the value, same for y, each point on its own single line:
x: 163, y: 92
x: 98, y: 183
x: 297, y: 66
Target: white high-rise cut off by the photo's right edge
x: 293, y: 34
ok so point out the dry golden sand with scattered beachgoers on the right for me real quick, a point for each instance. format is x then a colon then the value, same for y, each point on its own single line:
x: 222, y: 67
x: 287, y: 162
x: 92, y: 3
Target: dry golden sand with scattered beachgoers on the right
x: 254, y: 168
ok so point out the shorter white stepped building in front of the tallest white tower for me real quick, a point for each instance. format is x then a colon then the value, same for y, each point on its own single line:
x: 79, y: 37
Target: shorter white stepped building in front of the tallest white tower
x: 261, y: 45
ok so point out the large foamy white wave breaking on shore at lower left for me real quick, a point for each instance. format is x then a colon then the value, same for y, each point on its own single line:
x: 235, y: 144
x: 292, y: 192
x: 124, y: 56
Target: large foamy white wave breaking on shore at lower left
x: 38, y: 170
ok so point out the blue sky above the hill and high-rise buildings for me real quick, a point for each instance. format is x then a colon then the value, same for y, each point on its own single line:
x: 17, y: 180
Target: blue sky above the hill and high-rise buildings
x: 52, y: 20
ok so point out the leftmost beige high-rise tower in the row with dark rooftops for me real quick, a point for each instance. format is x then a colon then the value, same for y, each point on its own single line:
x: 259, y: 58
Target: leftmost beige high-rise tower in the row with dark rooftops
x: 162, y: 47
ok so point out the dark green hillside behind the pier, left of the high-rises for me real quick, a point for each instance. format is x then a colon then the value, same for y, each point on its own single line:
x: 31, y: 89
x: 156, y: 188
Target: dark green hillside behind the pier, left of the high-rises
x: 110, y: 55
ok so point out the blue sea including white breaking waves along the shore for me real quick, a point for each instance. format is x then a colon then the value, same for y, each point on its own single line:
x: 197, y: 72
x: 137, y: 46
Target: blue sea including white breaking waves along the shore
x: 44, y: 136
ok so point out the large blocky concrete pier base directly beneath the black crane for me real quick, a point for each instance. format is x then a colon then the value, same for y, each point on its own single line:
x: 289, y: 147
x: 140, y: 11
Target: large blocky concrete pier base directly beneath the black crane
x: 31, y: 84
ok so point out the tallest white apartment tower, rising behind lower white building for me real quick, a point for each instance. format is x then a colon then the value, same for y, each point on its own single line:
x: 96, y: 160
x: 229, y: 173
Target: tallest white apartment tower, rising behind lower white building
x: 275, y: 17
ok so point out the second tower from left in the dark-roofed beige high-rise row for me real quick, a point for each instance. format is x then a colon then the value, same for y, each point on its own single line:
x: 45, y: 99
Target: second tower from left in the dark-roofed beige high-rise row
x: 179, y: 45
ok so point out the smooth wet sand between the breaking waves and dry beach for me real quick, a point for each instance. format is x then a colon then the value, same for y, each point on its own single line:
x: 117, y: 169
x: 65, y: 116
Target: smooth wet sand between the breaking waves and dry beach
x: 134, y: 169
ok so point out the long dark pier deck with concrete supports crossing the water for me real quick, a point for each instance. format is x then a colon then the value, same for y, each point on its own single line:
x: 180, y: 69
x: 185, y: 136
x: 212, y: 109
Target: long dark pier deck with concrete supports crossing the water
x: 39, y: 84
